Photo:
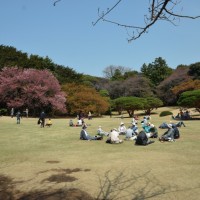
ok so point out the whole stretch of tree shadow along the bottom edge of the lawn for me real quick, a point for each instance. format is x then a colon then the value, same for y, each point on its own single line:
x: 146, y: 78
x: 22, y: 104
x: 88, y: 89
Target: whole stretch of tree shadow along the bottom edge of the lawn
x: 112, y: 186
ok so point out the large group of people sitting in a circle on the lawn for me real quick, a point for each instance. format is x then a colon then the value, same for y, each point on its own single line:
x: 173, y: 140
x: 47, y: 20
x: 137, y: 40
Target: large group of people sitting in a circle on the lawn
x: 132, y: 132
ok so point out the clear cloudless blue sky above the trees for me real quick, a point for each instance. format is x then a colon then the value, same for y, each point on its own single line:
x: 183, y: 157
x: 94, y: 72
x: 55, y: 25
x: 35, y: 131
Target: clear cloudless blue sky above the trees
x: 66, y: 35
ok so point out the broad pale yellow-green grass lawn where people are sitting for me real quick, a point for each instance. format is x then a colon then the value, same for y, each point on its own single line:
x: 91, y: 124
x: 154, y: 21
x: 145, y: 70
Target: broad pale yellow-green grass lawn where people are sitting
x: 49, y: 159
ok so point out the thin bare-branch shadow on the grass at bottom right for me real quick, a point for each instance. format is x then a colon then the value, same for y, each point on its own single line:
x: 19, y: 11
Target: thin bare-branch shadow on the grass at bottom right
x: 119, y: 186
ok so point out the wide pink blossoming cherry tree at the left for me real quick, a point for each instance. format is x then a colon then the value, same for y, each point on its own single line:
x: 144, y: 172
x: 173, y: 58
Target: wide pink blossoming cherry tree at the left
x: 30, y: 88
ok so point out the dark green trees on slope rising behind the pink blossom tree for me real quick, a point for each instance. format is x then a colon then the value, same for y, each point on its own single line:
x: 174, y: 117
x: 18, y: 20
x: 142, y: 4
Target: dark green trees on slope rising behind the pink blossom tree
x: 11, y: 57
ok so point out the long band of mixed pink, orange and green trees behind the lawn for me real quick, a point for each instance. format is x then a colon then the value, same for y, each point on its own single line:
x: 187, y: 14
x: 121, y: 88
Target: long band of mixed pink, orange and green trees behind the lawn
x: 45, y: 85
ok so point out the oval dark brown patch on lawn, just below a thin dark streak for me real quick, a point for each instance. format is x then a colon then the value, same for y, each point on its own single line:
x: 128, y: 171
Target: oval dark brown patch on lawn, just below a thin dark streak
x: 59, y: 178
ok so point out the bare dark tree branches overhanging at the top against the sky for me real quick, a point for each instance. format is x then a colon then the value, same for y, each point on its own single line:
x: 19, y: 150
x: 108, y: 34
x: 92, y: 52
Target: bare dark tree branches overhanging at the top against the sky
x: 158, y: 10
